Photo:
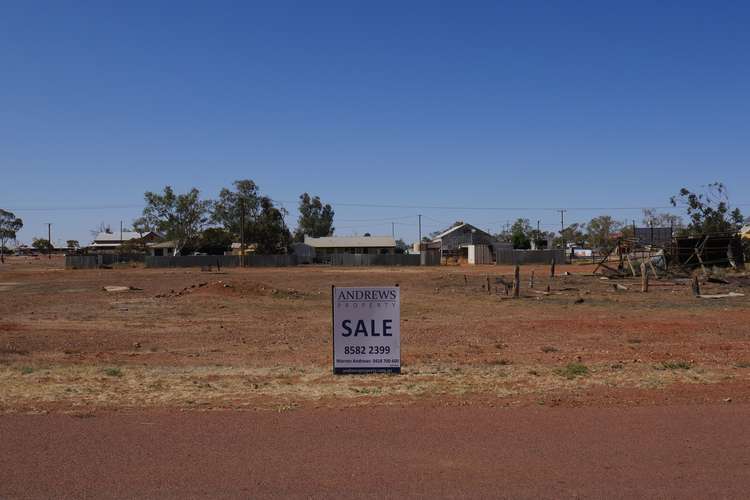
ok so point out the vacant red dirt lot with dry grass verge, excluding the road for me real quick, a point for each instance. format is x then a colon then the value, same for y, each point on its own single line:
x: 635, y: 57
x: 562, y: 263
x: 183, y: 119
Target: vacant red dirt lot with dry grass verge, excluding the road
x: 260, y: 339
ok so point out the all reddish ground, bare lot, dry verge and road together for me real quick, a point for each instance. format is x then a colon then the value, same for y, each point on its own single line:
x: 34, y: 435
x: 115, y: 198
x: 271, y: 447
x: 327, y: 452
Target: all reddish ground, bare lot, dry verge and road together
x: 484, y: 408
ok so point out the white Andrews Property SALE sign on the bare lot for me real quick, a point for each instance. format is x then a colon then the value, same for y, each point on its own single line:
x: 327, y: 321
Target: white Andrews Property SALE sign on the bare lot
x: 366, y: 329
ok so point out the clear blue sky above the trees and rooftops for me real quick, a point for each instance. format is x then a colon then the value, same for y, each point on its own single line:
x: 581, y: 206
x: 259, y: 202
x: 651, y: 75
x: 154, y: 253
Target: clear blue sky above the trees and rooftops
x: 426, y: 104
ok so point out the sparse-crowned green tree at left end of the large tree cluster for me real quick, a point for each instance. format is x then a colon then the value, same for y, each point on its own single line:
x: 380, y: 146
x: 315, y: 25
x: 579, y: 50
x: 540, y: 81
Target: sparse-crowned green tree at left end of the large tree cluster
x: 180, y: 216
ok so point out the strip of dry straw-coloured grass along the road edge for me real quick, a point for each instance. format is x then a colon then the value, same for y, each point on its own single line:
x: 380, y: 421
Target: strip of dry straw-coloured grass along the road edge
x: 73, y: 386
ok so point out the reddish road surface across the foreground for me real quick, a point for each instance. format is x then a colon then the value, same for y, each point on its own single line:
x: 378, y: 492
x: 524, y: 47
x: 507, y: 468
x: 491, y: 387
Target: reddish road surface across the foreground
x: 665, y: 452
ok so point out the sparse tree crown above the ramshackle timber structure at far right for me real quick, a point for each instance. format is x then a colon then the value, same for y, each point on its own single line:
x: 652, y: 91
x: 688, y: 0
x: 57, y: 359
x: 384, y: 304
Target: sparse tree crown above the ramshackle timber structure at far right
x: 709, y: 211
